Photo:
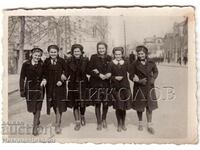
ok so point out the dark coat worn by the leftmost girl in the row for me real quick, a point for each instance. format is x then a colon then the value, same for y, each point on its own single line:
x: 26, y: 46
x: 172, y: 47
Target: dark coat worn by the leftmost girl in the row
x: 30, y: 79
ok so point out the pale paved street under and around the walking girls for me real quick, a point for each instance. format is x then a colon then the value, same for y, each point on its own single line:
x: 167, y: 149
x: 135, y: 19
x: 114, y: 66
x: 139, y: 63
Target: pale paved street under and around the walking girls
x: 170, y: 120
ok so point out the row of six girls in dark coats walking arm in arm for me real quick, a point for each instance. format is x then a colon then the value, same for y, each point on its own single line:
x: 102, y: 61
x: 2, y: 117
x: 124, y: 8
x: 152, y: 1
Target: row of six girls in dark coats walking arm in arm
x: 107, y: 85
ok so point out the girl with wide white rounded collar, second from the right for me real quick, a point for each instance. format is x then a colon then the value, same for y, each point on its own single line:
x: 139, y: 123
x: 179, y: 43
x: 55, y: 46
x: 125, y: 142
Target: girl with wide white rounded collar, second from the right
x: 120, y: 87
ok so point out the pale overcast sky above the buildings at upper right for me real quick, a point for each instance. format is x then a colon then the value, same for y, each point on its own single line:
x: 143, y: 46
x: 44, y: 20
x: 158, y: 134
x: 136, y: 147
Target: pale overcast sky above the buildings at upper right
x: 138, y: 28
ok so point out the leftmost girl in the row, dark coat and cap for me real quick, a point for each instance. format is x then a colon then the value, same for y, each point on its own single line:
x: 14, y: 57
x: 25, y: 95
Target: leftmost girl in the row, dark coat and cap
x: 30, y: 80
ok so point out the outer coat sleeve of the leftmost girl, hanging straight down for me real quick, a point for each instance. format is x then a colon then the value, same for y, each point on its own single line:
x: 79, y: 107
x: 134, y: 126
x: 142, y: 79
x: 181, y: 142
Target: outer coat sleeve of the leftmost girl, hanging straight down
x: 22, y: 78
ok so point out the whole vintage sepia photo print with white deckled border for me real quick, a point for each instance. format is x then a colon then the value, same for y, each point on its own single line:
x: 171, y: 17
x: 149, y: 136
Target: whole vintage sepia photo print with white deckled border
x: 99, y: 75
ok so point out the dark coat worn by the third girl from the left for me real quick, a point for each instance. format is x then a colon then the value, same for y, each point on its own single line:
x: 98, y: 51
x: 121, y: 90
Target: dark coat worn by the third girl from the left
x: 78, y: 81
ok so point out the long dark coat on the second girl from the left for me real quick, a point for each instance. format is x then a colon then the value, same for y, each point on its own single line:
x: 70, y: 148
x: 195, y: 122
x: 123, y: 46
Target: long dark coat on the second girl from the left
x: 56, y: 95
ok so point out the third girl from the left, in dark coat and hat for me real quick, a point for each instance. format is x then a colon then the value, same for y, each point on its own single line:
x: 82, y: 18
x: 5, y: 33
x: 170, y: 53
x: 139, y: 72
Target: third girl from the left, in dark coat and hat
x: 77, y: 84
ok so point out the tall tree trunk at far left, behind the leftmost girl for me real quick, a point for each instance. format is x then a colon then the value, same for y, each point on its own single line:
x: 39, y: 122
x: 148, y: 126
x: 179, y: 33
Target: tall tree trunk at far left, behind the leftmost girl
x: 21, y: 42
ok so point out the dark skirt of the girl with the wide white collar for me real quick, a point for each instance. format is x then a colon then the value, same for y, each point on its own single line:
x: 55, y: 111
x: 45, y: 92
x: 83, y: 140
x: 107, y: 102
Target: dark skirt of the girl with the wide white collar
x: 122, y: 99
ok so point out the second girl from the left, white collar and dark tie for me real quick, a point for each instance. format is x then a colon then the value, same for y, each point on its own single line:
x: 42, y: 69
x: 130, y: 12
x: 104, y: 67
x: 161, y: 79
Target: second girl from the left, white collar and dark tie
x: 54, y: 67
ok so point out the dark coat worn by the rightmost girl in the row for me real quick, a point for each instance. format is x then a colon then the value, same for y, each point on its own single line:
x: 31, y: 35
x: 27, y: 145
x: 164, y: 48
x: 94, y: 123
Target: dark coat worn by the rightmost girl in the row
x: 144, y: 95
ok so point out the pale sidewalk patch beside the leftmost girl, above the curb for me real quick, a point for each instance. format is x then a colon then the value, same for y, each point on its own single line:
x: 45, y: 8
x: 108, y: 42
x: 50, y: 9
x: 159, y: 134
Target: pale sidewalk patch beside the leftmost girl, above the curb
x: 13, y: 83
